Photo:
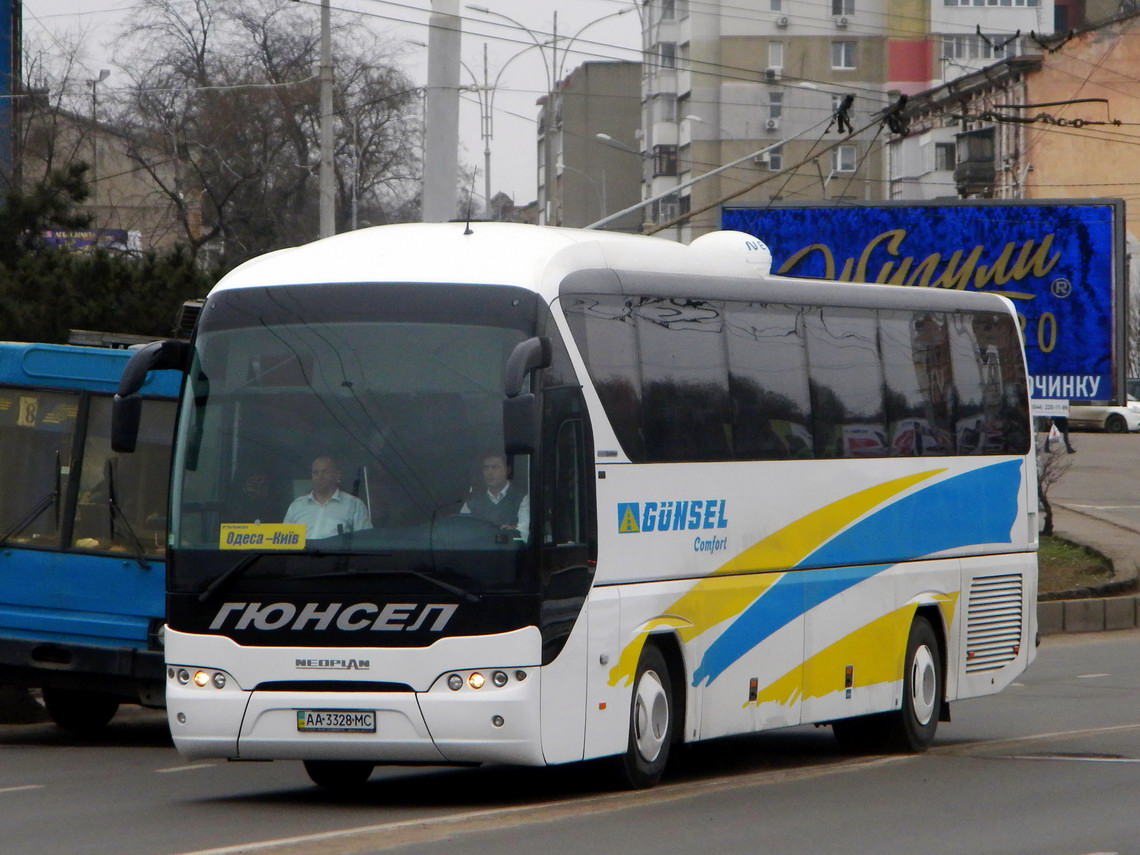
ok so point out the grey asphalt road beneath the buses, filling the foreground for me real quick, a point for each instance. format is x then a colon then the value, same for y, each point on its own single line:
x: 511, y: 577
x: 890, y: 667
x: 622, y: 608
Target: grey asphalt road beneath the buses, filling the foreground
x: 1049, y: 768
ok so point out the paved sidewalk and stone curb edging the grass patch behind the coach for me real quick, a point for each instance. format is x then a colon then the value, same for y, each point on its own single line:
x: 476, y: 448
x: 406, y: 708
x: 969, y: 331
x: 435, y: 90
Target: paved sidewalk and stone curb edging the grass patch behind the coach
x: 1092, y: 610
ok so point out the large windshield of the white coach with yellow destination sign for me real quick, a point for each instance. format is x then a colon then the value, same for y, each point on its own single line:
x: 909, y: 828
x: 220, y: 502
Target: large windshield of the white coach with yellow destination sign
x: 327, y: 425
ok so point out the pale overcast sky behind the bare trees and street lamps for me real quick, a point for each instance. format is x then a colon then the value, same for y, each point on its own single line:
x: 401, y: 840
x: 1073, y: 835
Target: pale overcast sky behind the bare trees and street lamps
x: 405, y: 22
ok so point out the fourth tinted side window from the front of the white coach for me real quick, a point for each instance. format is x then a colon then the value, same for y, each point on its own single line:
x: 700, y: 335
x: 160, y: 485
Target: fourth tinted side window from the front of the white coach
x: 846, y: 374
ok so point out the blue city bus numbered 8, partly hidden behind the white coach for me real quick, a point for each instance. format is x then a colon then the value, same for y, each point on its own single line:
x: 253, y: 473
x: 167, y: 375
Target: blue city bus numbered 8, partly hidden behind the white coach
x: 83, y: 533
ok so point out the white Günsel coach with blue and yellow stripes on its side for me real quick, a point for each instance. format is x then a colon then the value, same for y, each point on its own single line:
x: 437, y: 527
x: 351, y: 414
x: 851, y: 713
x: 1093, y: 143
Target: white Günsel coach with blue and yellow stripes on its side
x: 737, y: 502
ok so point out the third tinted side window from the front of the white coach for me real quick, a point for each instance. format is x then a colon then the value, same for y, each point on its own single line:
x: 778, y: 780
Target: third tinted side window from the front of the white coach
x: 768, y: 378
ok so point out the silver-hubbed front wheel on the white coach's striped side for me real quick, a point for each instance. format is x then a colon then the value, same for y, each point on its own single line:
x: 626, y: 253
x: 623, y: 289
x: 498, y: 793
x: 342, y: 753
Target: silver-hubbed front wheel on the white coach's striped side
x: 653, y: 722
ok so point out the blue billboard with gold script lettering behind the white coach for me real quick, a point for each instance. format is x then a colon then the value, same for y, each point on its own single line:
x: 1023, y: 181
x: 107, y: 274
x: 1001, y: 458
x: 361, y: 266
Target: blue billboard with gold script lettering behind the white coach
x: 1061, y: 263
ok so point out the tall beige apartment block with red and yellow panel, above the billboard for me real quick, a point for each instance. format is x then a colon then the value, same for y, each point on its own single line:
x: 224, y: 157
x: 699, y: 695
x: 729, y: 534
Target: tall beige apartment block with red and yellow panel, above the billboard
x: 722, y: 79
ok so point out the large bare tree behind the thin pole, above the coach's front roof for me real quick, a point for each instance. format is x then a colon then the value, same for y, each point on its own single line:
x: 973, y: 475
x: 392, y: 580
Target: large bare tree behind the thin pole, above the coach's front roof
x: 229, y: 94
